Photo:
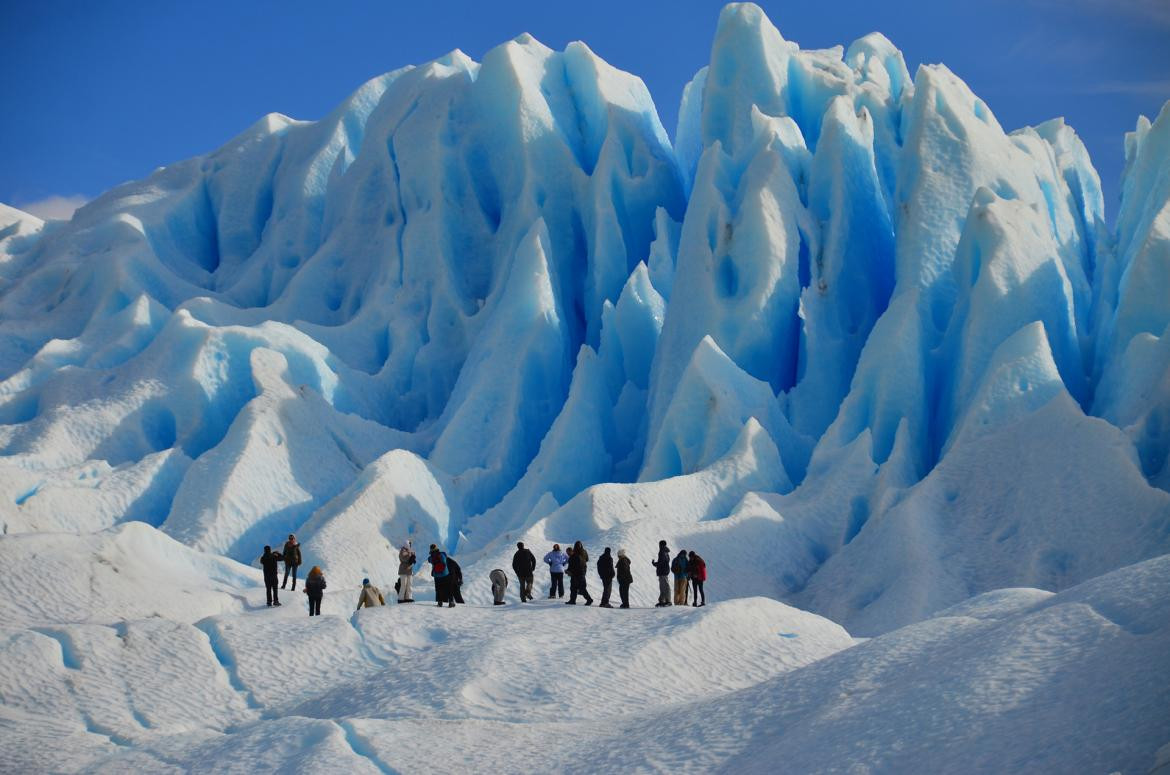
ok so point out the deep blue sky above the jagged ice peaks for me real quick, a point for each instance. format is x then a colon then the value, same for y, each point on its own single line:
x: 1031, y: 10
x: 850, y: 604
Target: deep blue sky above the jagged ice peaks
x: 100, y: 93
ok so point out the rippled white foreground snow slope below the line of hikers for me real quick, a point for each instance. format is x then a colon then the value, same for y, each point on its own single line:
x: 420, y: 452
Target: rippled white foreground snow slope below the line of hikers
x: 1018, y: 680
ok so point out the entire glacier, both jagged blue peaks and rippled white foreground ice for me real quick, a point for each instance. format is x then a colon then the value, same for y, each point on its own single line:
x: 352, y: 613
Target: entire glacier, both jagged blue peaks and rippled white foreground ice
x: 886, y: 366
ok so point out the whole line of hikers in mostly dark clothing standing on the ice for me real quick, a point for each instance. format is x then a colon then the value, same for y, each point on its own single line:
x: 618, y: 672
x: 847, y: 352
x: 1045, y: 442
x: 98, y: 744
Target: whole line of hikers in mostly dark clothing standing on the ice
x: 689, y: 570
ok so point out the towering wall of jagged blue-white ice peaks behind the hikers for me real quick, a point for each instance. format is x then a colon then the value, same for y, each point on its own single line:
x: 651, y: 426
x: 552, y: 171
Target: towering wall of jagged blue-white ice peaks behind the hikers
x: 846, y: 321
